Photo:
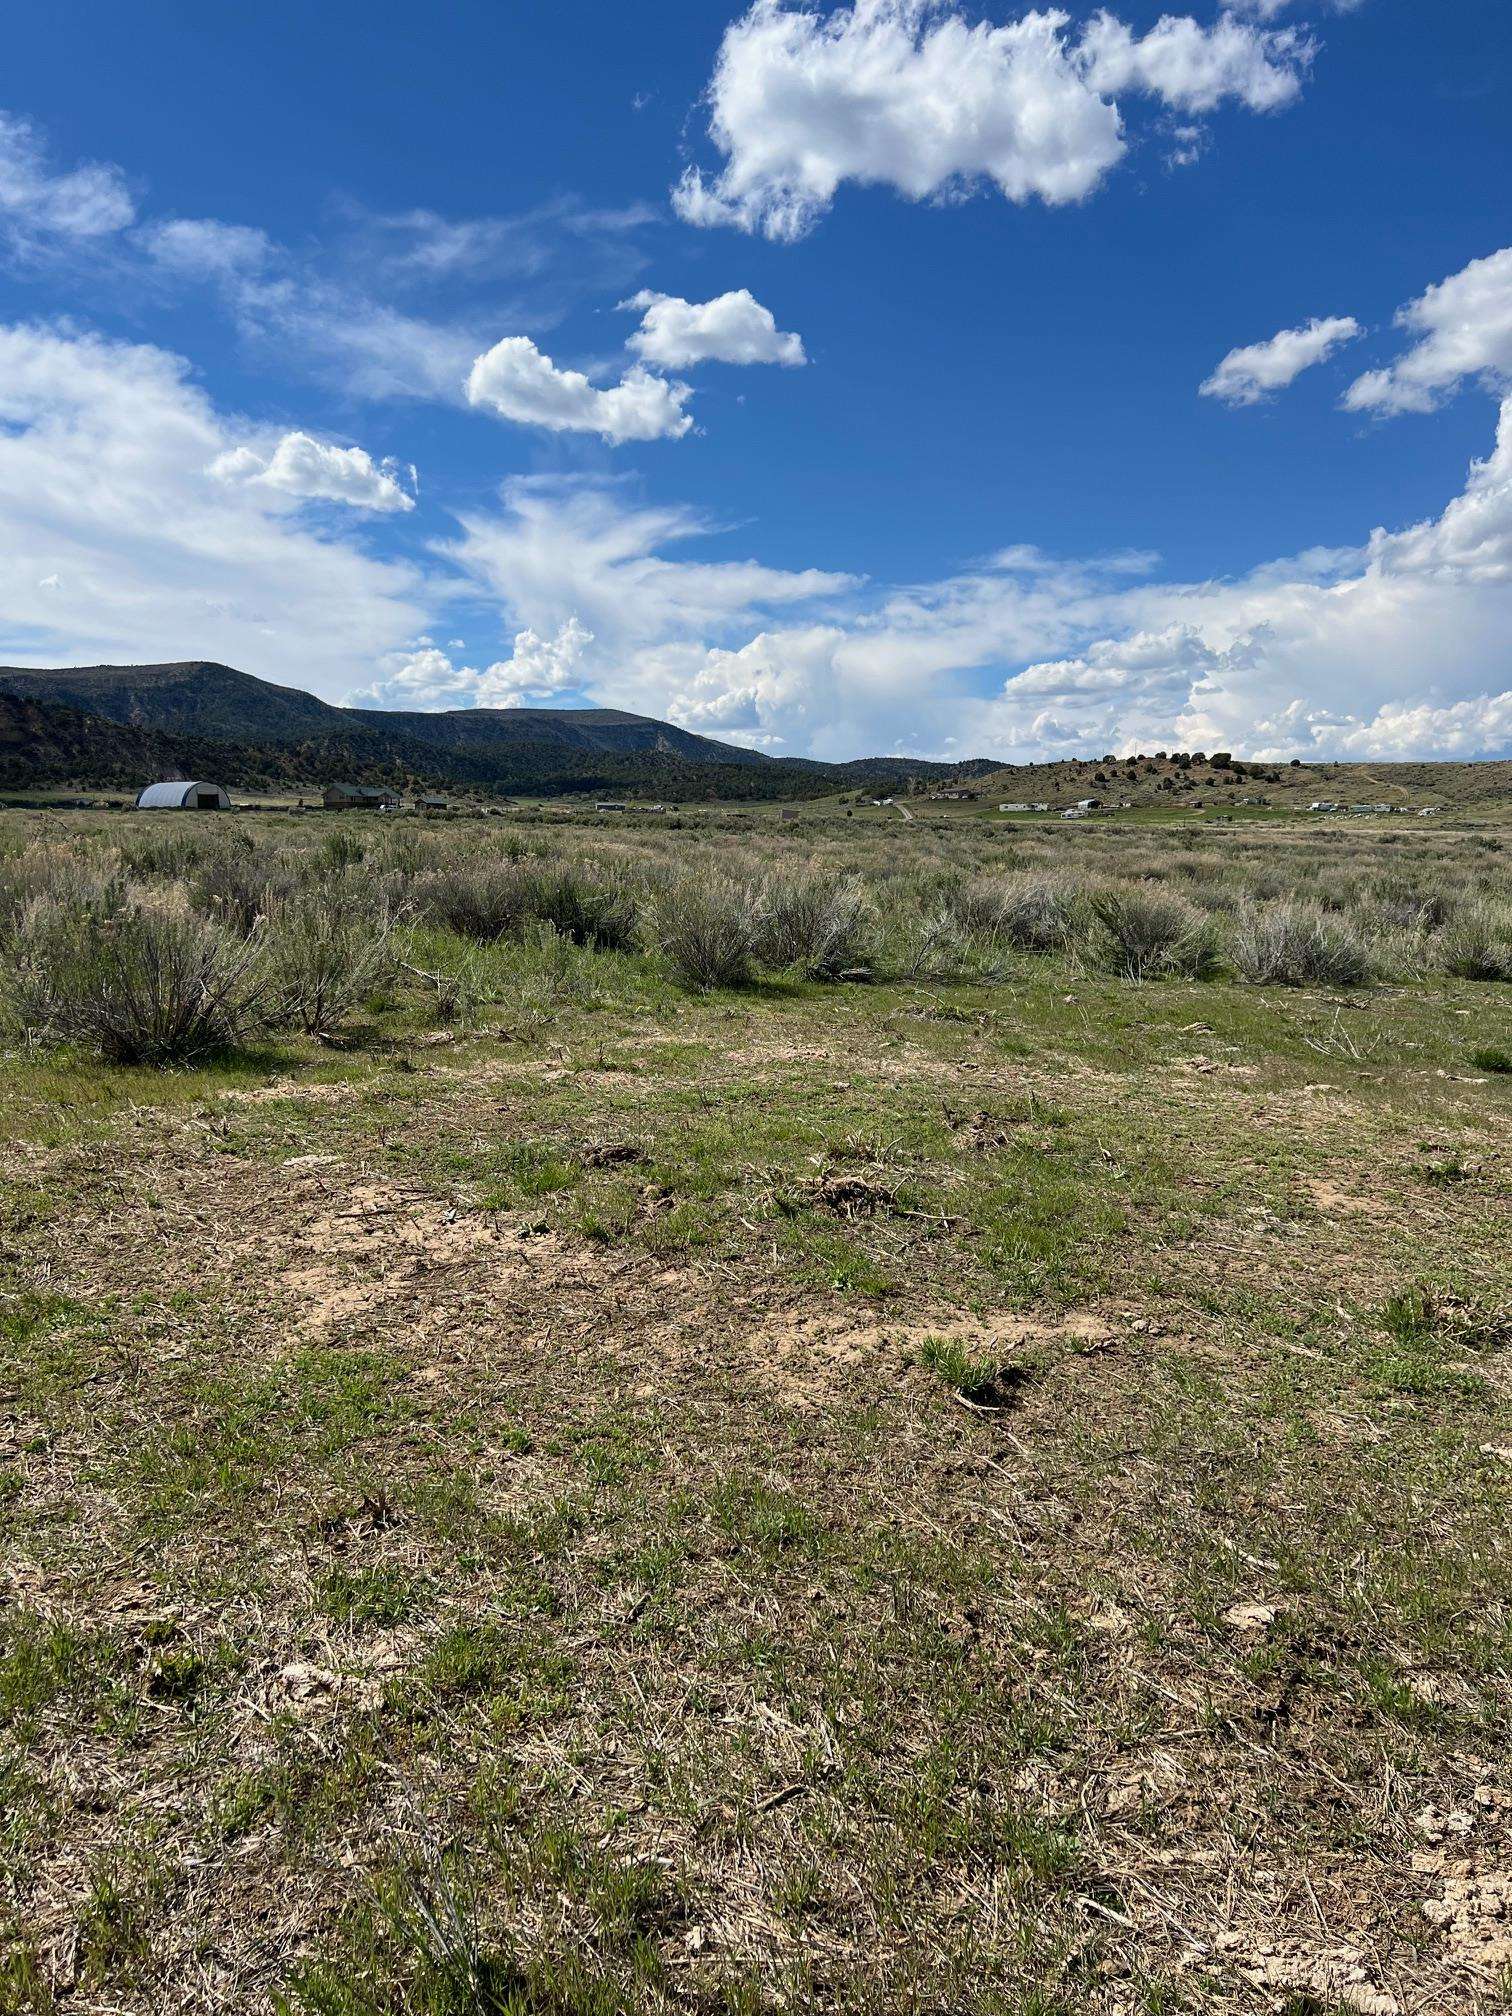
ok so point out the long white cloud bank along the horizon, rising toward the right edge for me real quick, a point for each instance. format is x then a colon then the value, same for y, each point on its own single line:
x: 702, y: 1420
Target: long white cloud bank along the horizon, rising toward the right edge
x: 1394, y: 646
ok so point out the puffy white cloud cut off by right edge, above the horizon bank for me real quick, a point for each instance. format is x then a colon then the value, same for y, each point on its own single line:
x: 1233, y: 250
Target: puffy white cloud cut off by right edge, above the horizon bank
x: 1463, y: 328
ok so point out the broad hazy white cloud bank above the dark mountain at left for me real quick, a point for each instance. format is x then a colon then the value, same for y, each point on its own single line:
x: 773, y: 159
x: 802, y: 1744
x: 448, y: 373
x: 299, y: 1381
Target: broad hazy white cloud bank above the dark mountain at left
x: 120, y: 545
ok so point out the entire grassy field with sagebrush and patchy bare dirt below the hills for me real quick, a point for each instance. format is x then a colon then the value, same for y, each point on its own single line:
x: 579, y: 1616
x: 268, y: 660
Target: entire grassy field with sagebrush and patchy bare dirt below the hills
x: 533, y: 1485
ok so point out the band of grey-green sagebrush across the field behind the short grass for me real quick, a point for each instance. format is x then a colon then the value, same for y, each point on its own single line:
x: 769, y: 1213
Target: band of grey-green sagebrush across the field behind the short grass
x: 172, y: 942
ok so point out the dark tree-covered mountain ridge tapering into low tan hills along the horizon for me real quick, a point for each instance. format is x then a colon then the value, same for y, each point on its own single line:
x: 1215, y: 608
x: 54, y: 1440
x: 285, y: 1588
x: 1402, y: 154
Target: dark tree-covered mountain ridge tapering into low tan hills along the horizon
x: 124, y: 727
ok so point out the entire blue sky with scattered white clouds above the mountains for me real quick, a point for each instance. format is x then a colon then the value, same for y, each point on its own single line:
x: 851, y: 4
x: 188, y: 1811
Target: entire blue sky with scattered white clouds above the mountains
x: 316, y: 358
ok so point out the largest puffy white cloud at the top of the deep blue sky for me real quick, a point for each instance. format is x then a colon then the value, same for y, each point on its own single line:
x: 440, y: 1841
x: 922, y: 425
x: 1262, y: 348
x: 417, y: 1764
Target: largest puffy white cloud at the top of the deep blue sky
x: 914, y: 96
